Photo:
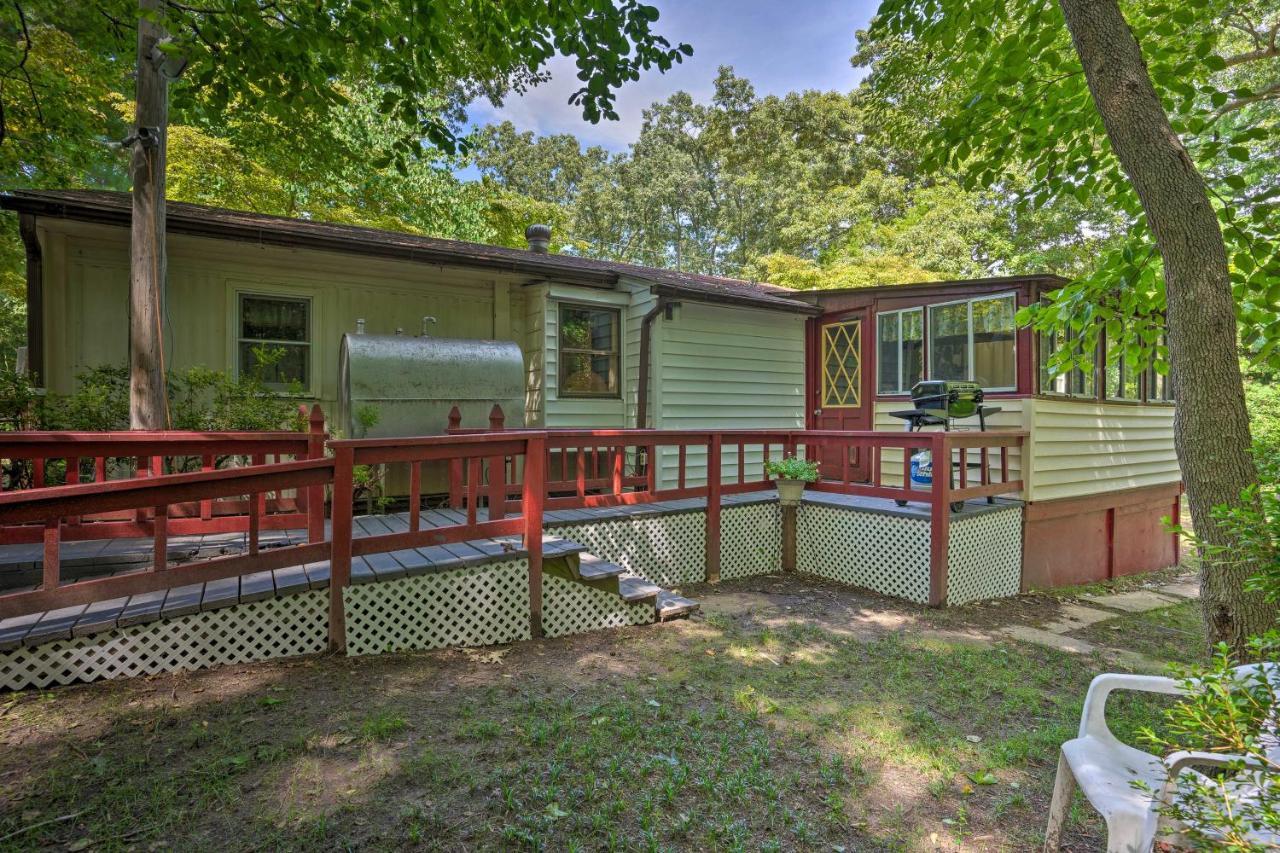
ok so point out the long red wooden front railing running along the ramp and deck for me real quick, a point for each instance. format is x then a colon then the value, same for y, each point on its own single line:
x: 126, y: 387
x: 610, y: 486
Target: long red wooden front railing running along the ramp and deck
x: 506, y: 471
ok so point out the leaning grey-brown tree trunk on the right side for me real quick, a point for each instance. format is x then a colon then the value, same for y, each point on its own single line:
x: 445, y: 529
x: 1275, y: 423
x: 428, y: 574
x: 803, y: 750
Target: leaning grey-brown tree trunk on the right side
x: 1212, y: 427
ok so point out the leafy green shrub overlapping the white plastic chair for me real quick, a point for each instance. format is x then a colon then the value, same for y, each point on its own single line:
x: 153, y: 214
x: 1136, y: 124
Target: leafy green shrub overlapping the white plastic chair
x: 1224, y: 713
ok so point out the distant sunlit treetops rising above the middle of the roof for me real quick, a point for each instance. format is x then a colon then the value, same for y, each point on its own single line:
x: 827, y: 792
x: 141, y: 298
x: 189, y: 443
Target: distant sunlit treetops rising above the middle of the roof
x: 807, y: 190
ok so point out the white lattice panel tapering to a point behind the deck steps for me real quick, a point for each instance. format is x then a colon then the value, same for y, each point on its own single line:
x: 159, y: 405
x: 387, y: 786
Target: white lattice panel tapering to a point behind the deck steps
x: 668, y: 550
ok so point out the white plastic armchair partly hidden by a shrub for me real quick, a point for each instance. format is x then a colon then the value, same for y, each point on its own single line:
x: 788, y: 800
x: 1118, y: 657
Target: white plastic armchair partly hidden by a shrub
x: 1105, y: 769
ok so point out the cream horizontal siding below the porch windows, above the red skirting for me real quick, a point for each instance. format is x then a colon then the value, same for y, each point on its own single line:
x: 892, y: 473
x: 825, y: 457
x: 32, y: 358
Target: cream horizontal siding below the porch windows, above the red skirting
x: 1089, y: 449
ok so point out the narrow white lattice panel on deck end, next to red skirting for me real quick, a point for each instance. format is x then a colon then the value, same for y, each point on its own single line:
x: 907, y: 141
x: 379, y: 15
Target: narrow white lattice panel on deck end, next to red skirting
x: 985, y: 556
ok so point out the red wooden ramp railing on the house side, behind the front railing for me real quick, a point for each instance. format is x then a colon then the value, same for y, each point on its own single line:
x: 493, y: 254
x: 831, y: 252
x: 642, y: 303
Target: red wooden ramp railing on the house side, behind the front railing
x: 154, y: 454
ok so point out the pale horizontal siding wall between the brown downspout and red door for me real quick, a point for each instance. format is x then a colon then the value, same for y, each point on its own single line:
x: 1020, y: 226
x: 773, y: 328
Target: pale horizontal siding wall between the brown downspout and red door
x: 728, y: 368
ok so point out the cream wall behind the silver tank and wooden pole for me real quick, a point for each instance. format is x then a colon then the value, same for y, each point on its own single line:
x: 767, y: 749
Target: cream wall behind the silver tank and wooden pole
x: 88, y: 273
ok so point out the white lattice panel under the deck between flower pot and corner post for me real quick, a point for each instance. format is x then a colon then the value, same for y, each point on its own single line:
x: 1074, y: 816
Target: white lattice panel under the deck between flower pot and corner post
x: 889, y: 554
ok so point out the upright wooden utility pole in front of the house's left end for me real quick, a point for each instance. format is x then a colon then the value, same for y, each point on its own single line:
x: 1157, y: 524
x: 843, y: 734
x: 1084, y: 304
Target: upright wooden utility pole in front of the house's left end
x: 148, y: 403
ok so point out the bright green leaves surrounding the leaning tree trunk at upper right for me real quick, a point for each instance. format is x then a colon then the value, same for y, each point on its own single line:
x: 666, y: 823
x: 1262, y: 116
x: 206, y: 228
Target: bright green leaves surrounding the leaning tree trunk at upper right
x: 984, y: 85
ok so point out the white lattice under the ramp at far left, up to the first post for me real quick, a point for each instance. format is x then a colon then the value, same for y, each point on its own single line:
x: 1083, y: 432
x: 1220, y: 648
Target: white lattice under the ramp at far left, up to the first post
x: 255, y: 632
